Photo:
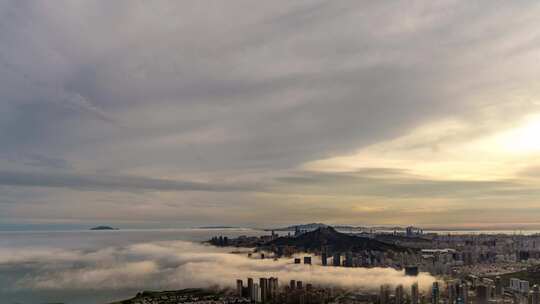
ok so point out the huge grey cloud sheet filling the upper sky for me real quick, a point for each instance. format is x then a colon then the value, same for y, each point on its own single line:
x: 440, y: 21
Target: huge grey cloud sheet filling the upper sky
x: 291, y: 83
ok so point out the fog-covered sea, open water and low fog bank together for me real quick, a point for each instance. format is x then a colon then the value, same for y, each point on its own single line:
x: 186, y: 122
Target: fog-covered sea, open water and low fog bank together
x: 88, y: 267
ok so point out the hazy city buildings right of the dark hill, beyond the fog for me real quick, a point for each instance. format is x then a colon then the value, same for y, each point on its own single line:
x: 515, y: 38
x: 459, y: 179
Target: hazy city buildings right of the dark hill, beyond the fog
x: 448, y: 255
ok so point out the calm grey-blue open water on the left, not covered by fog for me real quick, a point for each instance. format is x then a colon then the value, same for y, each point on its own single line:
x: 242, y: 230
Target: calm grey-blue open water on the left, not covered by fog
x: 40, y: 246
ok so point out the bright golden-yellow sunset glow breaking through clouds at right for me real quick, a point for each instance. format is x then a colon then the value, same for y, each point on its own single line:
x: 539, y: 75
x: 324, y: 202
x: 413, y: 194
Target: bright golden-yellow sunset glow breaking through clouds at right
x: 499, y: 155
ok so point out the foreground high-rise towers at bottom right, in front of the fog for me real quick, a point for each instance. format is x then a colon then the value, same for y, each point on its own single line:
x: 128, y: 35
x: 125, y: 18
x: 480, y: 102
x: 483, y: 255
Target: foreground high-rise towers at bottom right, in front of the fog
x: 471, y: 290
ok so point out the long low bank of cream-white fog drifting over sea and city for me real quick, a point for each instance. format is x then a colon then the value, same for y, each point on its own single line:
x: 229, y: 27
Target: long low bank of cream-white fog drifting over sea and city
x: 178, y: 264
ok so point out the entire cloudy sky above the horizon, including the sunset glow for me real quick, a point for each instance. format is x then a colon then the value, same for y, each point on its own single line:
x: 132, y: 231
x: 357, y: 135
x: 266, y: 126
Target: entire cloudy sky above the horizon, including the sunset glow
x: 263, y: 114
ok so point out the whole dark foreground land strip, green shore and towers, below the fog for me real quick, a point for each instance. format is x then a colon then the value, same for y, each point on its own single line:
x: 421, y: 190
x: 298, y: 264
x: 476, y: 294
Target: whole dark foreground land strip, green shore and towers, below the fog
x: 470, y: 290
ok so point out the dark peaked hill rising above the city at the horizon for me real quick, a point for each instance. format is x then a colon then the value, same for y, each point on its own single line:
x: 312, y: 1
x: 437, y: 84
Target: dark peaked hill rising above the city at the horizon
x: 326, y: 236
